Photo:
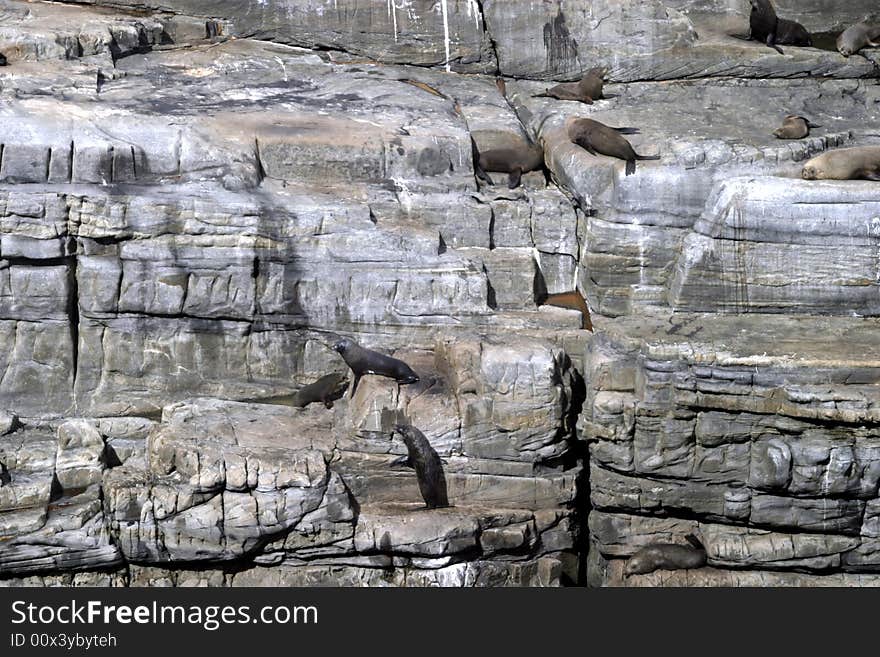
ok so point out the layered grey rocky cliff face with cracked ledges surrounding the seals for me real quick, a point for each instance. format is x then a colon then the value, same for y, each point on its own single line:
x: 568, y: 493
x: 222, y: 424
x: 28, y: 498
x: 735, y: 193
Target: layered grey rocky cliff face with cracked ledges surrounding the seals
x: 197, y: 198
